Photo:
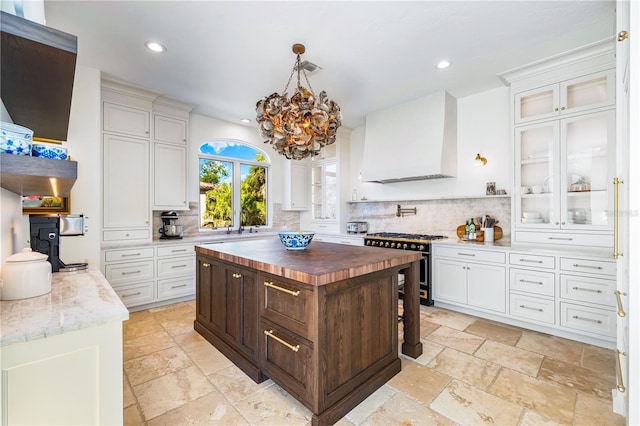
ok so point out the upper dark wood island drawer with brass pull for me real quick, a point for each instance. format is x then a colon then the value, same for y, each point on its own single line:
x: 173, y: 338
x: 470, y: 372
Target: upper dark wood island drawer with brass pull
x: 286, y: 302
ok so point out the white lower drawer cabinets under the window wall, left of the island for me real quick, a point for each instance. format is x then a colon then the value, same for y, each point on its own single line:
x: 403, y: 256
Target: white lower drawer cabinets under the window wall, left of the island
x: 151, y: 275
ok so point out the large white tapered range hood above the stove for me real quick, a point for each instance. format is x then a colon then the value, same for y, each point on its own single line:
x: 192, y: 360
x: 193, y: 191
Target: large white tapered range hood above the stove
x: 416, y: 140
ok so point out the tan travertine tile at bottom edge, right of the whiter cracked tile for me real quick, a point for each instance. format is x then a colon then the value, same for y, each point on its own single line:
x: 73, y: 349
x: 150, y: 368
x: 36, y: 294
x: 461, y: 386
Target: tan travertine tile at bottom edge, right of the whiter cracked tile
x: 549, y: 399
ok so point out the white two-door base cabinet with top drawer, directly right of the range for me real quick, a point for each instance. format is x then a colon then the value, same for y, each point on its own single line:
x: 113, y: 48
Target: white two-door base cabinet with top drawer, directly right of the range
x: 479, y: 285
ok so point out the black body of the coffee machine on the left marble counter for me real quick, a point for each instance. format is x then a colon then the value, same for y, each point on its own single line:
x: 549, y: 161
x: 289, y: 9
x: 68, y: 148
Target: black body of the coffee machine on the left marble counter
x: 45, y: 238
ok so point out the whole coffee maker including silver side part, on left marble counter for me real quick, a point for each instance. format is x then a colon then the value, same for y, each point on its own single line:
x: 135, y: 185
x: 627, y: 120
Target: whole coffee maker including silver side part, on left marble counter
x: 45, y: 232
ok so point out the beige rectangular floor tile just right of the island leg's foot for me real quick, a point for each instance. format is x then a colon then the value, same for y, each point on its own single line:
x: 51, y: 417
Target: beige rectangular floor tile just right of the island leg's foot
x: 465, y: 367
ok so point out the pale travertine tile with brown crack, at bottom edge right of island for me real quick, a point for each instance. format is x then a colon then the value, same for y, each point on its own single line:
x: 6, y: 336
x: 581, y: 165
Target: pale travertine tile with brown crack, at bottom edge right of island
x: 468, y: 405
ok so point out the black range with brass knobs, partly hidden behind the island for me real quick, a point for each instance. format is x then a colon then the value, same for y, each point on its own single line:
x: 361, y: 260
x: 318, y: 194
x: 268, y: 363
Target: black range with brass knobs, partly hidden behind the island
x: 414, y: 242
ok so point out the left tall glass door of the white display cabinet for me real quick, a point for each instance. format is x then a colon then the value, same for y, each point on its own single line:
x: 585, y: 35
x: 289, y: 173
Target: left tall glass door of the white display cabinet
x: 537, y: 151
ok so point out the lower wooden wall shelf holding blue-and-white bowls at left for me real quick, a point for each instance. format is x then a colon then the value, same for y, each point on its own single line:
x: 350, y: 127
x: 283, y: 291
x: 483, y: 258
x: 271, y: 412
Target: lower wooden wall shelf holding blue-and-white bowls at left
x: 26, y: 175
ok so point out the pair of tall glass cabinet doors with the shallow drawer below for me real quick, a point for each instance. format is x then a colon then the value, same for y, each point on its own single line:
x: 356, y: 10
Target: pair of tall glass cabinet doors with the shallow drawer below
x: 564, y: 180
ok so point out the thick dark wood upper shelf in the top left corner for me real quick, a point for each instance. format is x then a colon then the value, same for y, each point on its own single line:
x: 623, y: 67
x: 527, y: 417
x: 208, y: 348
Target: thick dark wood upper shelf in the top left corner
x: 38, y: 68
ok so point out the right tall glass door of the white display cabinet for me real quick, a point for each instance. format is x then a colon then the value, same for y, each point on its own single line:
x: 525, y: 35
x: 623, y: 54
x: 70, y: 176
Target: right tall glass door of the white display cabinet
x: 588, y: 144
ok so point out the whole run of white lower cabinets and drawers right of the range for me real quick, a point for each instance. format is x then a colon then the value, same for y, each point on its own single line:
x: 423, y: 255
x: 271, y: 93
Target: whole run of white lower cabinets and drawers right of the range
x: 570, y: 296
